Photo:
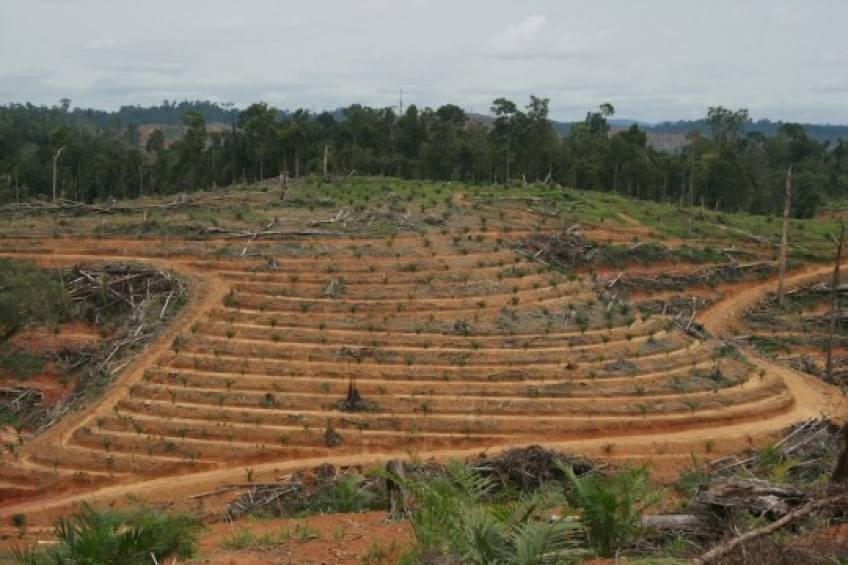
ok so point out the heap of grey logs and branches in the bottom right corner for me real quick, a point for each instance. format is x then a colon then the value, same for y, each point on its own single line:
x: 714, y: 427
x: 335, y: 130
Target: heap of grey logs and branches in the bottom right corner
x: 730, y: 495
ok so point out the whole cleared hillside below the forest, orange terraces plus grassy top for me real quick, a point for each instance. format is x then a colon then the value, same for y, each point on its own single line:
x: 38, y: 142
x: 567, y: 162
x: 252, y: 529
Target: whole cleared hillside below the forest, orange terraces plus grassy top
x: 455, y: 339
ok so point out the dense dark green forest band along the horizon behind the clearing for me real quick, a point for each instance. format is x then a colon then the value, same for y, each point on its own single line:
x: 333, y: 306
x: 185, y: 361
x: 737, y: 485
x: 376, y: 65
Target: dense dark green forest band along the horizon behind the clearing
x: 729, y: 163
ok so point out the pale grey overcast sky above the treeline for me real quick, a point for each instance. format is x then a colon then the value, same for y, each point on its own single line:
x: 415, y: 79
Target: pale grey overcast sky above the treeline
x: 653, y: 60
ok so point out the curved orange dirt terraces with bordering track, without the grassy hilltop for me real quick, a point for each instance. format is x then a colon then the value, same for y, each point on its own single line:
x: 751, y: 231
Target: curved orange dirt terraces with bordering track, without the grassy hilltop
x: 250, y: 375
